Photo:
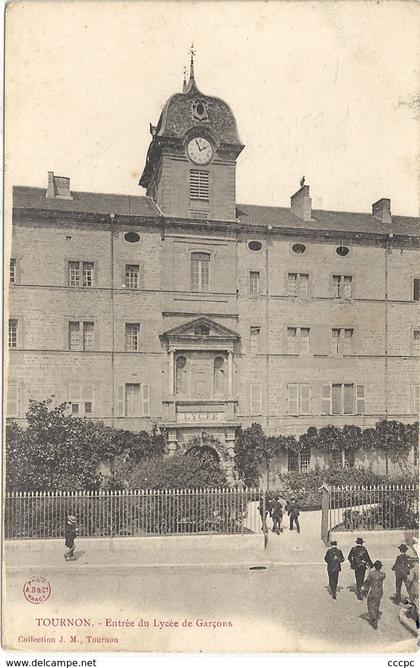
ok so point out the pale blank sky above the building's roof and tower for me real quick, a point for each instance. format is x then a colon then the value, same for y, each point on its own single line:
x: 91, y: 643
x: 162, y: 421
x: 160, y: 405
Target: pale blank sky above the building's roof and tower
x: 324, y: 89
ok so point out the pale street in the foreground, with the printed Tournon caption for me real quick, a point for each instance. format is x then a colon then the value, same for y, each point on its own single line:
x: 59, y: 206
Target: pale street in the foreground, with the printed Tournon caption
x: 281, y: 608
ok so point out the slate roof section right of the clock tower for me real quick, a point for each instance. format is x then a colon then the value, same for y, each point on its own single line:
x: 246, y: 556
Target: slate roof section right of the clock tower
x: 341, y: 221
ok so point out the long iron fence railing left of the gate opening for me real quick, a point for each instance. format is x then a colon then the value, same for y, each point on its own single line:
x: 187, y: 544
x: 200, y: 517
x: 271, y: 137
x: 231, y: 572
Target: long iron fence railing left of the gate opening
x: 133, y: 512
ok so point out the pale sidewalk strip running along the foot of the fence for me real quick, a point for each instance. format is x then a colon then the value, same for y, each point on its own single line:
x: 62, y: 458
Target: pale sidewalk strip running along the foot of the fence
x: 206, y: 551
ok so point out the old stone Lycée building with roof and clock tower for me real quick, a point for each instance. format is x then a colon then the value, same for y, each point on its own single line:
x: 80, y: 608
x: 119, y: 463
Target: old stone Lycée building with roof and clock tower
x: 186, y: 310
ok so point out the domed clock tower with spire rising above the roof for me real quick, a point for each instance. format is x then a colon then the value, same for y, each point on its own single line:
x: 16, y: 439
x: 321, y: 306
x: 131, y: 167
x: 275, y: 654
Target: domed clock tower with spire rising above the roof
x: 190, y: 169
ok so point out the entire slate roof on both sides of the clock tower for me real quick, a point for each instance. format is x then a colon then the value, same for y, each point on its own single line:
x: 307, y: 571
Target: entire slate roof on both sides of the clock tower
x: 248, y: 214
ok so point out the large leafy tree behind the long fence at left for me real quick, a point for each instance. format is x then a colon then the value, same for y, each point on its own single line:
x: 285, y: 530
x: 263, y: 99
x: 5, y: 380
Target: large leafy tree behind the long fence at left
x: 59, y: 452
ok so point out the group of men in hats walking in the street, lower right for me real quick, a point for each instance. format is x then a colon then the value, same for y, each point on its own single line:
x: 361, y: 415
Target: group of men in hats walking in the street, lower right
x: 372, y: 585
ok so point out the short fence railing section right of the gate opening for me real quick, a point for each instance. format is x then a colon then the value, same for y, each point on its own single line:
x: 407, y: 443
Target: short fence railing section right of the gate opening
x: 374, y: 507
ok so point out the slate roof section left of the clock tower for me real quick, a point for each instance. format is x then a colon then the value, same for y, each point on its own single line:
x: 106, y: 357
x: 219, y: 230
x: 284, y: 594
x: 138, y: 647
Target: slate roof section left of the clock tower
x: 128, y: 205
